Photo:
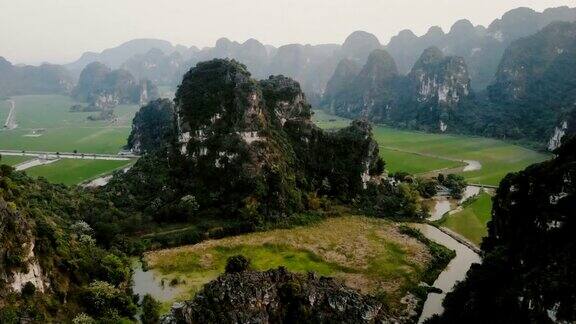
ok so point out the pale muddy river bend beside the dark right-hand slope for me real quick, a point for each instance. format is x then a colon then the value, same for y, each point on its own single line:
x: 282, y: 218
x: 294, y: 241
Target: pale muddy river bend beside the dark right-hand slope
x: 456, y: 270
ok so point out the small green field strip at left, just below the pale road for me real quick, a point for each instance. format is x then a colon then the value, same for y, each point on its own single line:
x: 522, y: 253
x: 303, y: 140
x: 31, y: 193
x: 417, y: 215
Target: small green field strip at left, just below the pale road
x: 75, y: 171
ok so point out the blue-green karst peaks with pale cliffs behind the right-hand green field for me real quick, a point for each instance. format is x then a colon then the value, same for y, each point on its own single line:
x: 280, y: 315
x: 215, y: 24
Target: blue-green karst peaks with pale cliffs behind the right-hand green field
x: 426, y: 98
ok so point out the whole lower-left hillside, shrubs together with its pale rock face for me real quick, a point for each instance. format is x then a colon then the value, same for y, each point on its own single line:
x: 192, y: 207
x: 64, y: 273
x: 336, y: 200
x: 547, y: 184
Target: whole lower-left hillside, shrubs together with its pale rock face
x: 51, y: 269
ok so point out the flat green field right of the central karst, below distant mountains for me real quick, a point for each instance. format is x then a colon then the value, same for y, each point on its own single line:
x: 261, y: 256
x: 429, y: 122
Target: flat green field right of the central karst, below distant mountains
x: 402, y: 150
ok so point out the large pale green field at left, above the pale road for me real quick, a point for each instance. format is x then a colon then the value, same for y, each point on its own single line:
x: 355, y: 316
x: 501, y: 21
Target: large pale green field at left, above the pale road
x: 64, y: 131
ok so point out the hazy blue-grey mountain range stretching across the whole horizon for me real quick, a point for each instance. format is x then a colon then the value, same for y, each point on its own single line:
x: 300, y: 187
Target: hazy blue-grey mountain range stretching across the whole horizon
x: 398, y: 86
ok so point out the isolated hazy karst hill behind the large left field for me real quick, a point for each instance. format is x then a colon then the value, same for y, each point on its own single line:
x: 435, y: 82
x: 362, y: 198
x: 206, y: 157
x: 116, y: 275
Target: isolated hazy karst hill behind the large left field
x: 104, y: 88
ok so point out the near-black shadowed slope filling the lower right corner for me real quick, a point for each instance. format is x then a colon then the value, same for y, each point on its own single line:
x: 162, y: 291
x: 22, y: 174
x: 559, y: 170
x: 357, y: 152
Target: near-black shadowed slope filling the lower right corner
x: 530, y: 256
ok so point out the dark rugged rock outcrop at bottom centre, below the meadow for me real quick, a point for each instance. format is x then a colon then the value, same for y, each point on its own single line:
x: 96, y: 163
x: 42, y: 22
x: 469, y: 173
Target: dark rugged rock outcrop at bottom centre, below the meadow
x: 277, y: 296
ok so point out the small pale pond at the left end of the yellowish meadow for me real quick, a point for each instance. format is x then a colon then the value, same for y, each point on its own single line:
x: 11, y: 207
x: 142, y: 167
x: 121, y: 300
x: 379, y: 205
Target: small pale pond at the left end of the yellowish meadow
x: 148, y: 282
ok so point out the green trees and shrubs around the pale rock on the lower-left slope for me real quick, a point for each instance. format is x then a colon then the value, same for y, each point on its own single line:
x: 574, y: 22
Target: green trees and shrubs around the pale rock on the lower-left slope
x: 45, y: 214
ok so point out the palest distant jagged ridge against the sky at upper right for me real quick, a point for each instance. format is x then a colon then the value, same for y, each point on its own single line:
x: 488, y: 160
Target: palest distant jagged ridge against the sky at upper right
x: 481, y: 47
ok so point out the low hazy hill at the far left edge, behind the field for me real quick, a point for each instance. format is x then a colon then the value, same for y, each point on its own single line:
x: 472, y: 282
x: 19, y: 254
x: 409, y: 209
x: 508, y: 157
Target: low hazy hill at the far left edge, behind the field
x: 43, y: 79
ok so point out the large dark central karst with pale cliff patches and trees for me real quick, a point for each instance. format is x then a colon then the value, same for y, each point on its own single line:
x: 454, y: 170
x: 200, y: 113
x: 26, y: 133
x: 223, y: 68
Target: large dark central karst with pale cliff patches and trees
x: 259, y: 137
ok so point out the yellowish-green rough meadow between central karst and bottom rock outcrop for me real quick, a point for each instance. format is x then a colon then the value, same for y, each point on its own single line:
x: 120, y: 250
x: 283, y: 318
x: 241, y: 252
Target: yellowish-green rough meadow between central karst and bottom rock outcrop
x: 367, y: 254
